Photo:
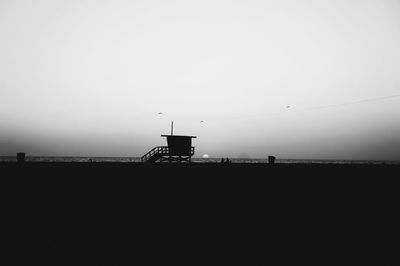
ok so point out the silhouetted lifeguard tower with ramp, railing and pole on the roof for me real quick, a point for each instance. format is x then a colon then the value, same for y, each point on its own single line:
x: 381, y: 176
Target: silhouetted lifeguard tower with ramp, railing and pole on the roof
x: 179, y: 149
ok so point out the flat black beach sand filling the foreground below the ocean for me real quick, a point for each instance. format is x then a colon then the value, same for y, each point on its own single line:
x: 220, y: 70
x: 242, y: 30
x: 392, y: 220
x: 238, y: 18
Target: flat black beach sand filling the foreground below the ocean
x: 200, y: 214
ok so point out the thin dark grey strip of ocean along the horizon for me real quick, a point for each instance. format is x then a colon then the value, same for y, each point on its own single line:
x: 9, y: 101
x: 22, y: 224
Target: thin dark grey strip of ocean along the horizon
x: 196, y: 160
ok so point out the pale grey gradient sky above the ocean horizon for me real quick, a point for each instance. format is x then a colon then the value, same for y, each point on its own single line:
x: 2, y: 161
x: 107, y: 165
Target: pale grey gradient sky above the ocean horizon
x: 89, y: 78
